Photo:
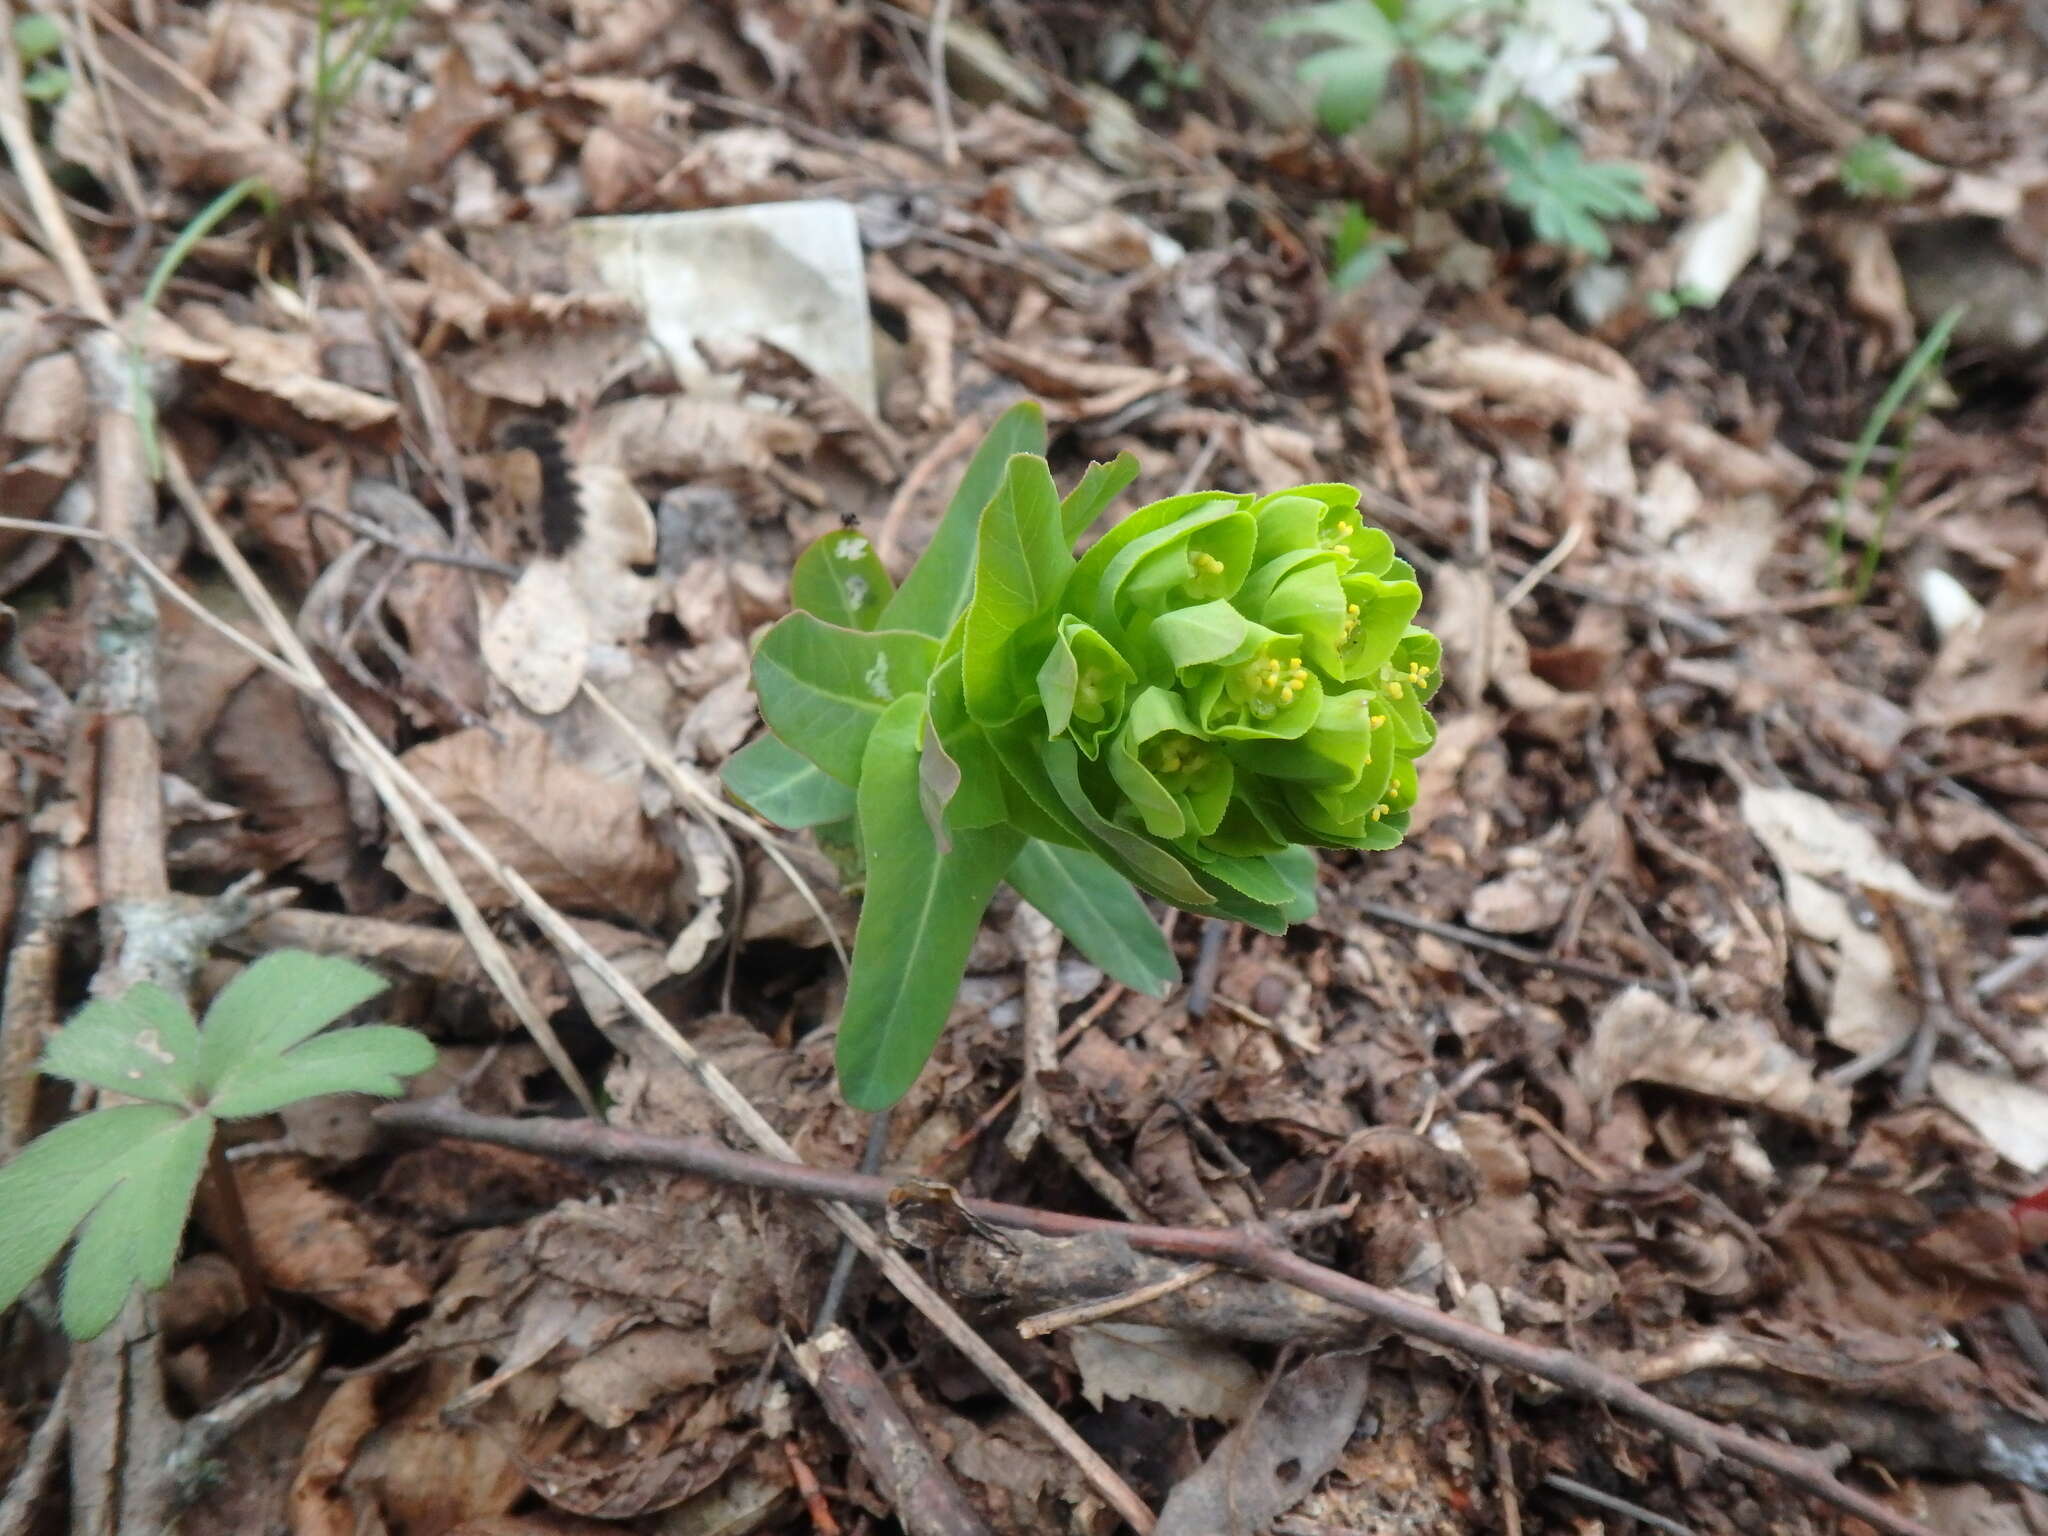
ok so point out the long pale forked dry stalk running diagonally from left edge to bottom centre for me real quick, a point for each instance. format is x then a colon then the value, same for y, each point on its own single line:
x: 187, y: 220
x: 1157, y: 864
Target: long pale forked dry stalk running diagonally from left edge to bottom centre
x: 898, y: 1271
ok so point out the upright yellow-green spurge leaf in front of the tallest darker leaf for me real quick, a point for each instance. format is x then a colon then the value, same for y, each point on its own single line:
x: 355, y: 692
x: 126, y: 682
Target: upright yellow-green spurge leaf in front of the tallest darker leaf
x: 1021, y: 570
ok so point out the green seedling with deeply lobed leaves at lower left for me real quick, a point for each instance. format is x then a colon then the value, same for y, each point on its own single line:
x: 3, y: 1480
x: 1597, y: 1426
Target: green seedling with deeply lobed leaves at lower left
x: 124, y: 1177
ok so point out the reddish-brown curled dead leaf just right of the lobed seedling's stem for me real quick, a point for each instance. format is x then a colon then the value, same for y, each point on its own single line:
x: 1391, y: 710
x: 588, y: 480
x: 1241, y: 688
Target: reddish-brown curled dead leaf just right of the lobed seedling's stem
x: 316, y: 1244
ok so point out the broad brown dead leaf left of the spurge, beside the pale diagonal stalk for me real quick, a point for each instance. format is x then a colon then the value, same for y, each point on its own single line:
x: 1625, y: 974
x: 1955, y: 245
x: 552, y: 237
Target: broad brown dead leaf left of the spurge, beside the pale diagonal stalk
x: 579, y: 839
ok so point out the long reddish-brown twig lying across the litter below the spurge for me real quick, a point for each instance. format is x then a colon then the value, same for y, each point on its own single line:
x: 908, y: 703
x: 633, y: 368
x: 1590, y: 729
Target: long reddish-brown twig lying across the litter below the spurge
x: 1246, y: 1248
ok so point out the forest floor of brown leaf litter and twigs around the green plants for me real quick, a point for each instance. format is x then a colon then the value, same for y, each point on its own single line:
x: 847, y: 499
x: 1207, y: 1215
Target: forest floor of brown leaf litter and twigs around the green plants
x: 1691, y: 1033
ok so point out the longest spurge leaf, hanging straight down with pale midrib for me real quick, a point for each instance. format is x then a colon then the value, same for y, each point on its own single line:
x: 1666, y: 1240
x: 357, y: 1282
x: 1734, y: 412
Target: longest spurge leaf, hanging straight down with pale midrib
x: 919, y: 919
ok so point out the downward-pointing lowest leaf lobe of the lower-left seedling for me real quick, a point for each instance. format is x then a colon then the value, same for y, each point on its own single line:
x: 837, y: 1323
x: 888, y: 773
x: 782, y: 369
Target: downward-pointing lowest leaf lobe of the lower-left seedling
x: 132, y: 1236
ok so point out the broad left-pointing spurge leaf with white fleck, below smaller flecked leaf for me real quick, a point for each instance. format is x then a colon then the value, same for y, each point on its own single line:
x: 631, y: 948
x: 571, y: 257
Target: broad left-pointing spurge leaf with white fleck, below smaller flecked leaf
x: 824, y: 687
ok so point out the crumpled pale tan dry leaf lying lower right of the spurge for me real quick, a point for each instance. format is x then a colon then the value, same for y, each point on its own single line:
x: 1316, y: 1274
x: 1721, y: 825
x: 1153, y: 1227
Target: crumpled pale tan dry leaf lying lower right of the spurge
x: 1644, y: 1039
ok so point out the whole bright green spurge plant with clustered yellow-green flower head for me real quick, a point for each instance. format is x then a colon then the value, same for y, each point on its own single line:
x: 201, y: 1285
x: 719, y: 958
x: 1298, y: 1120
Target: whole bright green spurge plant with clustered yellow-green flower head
x: 1220, y: 685
